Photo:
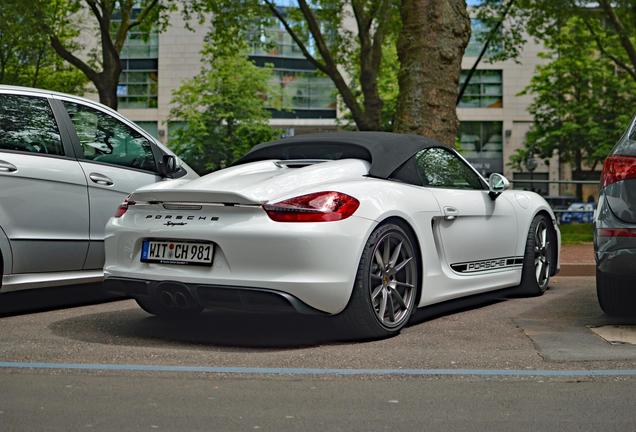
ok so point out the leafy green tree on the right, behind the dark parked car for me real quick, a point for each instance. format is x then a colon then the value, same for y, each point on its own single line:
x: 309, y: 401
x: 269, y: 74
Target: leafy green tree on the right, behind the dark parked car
x: 582, y: 101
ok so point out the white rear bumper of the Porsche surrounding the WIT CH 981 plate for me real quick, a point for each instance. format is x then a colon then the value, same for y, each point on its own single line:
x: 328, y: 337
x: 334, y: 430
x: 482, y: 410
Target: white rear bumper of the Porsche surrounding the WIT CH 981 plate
x: 313, y: 262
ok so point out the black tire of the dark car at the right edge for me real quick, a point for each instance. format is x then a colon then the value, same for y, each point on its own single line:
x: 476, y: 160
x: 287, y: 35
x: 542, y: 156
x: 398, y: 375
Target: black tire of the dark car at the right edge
x: 616, y: 296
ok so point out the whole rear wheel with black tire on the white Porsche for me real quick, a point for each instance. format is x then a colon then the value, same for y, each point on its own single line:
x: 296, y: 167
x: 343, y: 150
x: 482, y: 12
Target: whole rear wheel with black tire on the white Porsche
x: 384, y: 287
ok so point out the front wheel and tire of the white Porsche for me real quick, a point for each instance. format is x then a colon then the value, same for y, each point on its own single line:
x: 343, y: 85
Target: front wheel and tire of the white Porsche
x: 538, y: 258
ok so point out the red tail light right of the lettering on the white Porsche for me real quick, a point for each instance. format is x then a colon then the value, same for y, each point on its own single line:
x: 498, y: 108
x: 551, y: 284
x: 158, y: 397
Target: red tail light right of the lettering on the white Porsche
x: 315, y: 207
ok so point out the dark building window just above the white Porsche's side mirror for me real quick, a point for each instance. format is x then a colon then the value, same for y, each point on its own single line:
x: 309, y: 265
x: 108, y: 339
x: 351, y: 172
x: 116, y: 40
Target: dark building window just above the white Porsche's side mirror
x: 482, y: 144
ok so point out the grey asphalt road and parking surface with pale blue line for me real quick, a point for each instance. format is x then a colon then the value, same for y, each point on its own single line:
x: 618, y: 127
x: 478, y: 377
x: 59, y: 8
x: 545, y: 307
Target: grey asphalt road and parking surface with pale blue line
x: 520, y: 364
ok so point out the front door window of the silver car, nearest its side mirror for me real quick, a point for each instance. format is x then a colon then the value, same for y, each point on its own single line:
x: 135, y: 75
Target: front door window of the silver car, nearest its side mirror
x: 105, y: 139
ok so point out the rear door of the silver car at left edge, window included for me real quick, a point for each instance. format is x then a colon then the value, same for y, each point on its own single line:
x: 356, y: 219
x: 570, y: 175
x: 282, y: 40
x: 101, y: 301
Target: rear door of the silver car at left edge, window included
x: 43, y: 193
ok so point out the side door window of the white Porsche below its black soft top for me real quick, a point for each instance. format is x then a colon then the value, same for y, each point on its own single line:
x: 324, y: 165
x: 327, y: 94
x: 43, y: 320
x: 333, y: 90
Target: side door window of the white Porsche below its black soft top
x: 440, y: 168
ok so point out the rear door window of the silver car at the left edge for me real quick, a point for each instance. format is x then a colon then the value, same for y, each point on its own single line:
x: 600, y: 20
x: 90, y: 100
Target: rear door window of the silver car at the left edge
x: 27, y: 124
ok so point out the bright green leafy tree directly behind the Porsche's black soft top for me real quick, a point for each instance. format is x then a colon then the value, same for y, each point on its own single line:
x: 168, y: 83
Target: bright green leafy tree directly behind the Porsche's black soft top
x: 223, y: 108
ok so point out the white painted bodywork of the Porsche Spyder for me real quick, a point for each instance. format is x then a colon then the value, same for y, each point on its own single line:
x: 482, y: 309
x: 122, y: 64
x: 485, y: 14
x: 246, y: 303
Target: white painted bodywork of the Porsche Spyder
x: 317, y: 262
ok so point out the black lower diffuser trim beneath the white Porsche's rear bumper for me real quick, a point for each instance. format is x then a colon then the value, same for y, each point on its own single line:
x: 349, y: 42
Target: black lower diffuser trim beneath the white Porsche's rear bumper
x: 217, y: 297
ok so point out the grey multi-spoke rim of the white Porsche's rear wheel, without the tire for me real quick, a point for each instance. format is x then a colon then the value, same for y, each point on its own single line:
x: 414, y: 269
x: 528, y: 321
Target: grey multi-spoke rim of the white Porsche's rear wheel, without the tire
x: 393, y: 276
